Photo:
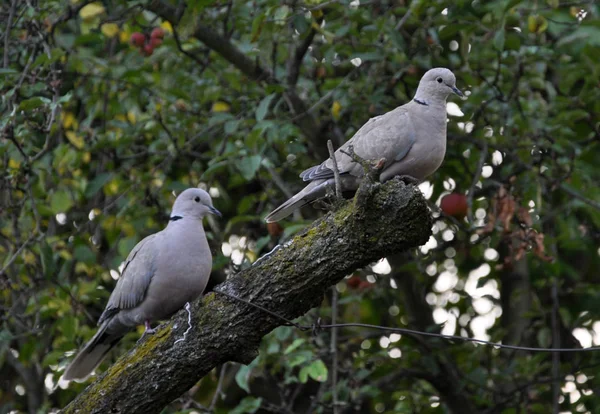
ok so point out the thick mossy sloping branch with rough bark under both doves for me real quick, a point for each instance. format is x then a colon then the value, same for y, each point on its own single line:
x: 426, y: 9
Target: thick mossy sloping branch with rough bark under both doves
x: 381, y: 220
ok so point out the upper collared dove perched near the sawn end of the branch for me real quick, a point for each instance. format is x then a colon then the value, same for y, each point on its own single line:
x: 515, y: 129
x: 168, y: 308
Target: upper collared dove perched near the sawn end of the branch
x: 411, y: 139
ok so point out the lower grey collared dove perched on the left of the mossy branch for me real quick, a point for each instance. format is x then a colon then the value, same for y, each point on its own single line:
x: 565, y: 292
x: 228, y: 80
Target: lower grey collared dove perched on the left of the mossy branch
x: 163, y: 272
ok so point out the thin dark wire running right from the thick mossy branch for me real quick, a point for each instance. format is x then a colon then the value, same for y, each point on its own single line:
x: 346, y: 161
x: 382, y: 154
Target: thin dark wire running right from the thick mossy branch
x: 317, y: 326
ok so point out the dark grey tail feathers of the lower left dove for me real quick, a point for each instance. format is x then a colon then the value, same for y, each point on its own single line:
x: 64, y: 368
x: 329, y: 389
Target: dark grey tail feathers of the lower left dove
x: 91, y: 355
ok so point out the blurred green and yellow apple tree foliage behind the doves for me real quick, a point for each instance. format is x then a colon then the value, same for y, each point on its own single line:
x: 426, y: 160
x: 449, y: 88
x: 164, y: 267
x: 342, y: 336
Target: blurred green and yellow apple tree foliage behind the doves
x: 97, y: 134
